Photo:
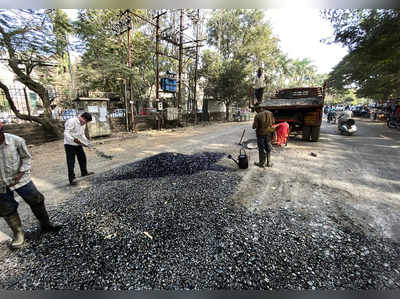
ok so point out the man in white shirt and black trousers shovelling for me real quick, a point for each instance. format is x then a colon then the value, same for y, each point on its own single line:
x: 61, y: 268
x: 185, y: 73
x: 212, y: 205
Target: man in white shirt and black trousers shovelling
x: 74, y: 140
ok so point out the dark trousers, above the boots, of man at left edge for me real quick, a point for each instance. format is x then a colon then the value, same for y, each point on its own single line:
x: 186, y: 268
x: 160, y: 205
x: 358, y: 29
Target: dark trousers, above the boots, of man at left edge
x: 29, y: 193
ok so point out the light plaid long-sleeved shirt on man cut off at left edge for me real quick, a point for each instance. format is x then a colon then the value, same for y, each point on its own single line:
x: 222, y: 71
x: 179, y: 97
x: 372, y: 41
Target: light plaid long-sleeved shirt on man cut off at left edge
x: 14, y: 158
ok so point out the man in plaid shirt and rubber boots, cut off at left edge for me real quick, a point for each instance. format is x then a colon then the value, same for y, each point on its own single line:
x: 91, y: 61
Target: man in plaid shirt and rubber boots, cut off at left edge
x: 15, y: 167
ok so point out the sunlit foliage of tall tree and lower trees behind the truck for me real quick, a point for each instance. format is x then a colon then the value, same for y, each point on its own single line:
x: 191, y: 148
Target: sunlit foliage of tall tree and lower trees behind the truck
x: 243, y: 42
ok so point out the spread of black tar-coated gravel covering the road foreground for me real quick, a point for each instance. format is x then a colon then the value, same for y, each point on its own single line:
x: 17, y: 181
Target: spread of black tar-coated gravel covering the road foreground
x: 168, y: 222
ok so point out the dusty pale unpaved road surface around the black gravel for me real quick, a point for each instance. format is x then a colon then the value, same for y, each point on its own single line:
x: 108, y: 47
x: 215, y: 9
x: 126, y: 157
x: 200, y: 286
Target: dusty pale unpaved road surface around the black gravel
x: 353, y: 180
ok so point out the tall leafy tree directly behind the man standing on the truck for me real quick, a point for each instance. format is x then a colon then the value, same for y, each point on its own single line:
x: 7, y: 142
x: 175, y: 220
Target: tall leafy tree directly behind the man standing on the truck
x: 243, y: 42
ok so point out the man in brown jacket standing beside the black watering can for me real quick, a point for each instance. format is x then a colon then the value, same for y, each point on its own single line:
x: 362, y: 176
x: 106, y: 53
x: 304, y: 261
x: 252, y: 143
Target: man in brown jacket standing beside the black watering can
x: 263, y: 124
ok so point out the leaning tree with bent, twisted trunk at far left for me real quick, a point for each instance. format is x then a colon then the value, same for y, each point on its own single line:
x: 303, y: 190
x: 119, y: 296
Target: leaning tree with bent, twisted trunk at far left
x: 27, y: 39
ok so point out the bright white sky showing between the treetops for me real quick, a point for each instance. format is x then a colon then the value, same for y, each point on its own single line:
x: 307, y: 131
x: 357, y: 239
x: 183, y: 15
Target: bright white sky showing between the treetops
x: 300, y: 32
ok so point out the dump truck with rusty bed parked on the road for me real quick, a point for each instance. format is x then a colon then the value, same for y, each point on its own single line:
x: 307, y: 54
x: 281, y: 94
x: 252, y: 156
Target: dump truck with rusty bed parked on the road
x: 301, y: 107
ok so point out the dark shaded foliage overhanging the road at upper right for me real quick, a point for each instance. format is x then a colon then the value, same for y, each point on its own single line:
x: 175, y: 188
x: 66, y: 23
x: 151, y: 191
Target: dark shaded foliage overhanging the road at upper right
x: 373, y: 63
